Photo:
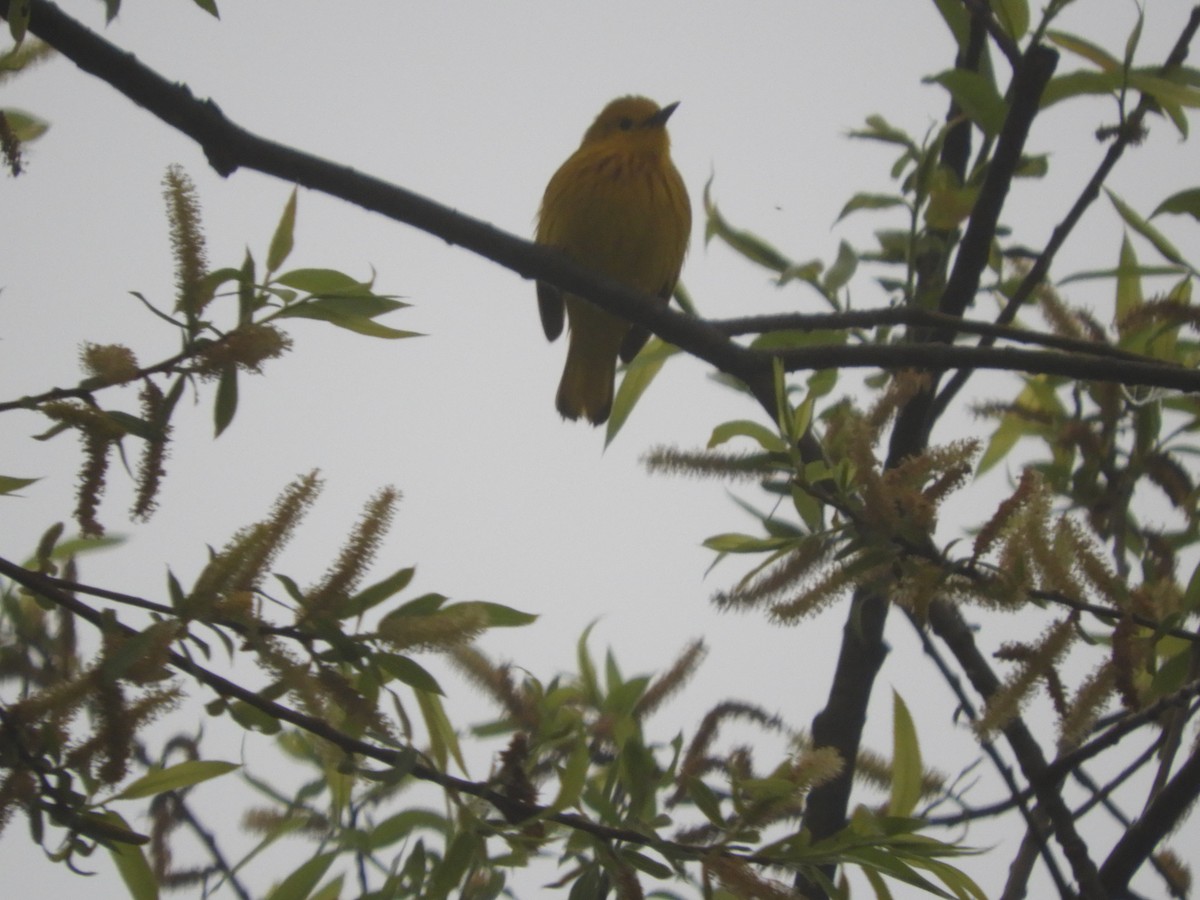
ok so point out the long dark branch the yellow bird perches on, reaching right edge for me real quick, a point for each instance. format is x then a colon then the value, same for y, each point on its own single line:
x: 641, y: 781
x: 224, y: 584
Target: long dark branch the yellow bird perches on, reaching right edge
x: 230, y: 147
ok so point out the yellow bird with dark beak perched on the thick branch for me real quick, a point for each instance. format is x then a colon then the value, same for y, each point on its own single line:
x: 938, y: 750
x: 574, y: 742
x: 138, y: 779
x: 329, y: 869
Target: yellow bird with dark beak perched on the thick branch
x: 619, y: 207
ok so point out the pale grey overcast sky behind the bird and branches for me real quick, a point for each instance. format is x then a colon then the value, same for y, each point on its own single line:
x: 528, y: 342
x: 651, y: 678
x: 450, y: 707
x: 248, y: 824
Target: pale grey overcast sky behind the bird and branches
x: 476, y: 105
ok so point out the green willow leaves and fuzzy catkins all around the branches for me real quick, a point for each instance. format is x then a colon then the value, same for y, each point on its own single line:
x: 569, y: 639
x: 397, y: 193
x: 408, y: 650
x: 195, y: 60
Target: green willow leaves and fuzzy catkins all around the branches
x: 854, y: 487
